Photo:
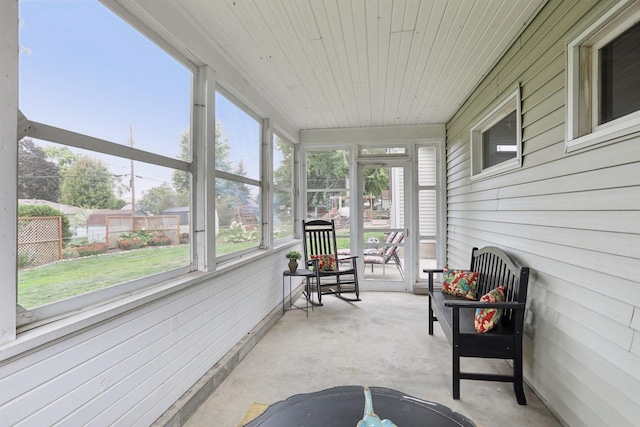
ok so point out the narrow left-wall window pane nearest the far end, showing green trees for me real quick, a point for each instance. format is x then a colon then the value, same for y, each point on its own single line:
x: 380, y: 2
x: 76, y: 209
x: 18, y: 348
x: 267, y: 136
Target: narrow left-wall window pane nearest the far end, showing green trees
x: 283, y: 152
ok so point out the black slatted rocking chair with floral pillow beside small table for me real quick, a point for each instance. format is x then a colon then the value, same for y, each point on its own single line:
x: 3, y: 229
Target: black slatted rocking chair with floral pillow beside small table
x: 335, y: 278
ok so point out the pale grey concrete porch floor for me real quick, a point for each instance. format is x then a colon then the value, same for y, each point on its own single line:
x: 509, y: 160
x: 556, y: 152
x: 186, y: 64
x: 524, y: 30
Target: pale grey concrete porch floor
x: 381, y: 341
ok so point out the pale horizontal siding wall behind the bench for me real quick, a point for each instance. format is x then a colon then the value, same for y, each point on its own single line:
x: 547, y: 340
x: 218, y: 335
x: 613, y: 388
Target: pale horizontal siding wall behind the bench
x: 574, y: 218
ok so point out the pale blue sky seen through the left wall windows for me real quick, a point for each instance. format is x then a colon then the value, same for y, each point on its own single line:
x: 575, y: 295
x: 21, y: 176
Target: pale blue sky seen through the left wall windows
x: 82, y: 68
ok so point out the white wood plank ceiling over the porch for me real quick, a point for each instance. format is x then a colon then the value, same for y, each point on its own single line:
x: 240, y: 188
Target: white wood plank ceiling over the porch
x: 340, y: 63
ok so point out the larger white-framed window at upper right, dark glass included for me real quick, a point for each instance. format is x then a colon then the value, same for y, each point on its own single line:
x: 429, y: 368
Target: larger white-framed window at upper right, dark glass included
x: 603, y: 77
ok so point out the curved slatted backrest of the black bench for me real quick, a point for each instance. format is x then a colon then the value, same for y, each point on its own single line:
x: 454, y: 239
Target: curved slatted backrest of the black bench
x: 495, y: 269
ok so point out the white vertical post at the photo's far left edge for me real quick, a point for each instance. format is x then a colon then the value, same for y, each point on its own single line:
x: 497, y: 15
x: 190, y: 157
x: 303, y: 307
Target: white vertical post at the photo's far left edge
x: 9, y: 166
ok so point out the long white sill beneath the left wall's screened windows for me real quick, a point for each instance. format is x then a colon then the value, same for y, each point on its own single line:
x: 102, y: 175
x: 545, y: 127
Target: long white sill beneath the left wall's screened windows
x: 53, y: 330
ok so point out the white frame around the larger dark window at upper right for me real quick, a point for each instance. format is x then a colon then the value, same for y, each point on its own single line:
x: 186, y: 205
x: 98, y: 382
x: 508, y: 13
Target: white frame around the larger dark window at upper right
x: 583, y: 55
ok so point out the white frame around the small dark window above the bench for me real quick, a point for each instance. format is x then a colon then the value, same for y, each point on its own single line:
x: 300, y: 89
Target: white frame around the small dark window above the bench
x: 507, y: 106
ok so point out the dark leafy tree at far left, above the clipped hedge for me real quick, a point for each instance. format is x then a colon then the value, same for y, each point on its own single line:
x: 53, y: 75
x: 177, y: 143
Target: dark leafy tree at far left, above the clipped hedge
x: 38, y: 178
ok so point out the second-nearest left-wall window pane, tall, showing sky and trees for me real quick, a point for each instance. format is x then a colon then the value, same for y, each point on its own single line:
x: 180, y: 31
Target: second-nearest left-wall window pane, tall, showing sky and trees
x: 238, y: 185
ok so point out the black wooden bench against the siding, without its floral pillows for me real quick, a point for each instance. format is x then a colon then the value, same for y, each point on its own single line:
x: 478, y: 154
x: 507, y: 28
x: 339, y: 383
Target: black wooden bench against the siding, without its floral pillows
x: 456, y: 317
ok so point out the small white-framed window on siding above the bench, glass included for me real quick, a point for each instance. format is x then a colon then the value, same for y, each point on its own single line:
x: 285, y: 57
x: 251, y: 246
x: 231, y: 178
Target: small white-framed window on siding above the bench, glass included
x: 496, y: 141
